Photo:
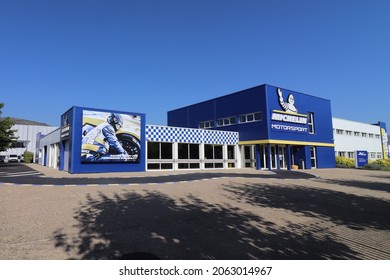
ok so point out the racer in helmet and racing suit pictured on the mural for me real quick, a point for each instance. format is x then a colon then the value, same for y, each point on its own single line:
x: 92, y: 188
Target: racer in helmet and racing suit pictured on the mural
x: 101, y: 142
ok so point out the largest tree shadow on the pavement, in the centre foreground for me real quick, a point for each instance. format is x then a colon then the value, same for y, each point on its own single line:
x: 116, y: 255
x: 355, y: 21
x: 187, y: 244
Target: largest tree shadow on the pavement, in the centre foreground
x: 189, y: 228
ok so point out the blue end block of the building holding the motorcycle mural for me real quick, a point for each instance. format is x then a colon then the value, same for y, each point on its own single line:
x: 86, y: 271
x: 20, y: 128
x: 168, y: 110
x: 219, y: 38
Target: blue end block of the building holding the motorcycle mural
x: 98, y: 155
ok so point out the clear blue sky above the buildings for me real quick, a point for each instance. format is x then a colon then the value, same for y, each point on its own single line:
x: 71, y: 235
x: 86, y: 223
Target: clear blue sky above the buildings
x: 152, y: 56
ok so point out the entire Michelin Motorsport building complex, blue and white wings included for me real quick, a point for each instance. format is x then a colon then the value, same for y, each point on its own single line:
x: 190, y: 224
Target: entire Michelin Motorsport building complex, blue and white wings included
x: 264, y: 127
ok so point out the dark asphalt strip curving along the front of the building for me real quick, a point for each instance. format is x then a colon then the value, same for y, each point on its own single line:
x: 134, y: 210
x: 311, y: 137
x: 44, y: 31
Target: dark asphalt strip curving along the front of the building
x: 19, y: 173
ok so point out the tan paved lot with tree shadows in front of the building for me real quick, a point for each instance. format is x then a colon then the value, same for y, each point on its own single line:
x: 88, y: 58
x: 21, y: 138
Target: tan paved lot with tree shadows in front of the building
x: 332, y: 214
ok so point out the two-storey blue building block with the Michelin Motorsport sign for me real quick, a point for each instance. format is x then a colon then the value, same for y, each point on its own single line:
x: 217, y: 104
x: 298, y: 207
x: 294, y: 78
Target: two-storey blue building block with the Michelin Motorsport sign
x: 278, y: 128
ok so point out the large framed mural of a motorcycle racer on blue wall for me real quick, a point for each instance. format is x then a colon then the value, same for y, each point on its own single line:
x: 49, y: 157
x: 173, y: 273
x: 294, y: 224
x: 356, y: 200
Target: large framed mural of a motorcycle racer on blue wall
x: 108, y: 140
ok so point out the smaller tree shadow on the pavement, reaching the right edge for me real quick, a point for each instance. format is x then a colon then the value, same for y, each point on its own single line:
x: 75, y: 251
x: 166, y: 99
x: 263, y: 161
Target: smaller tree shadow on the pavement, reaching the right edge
x: 355, y: 212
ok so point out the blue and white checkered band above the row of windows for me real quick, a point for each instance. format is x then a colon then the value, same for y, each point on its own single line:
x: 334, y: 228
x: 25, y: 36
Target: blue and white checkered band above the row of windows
x: 155, y: 133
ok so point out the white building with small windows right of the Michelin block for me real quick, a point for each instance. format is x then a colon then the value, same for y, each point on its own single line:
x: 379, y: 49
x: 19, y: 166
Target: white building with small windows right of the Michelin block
x: 351, y: 136
